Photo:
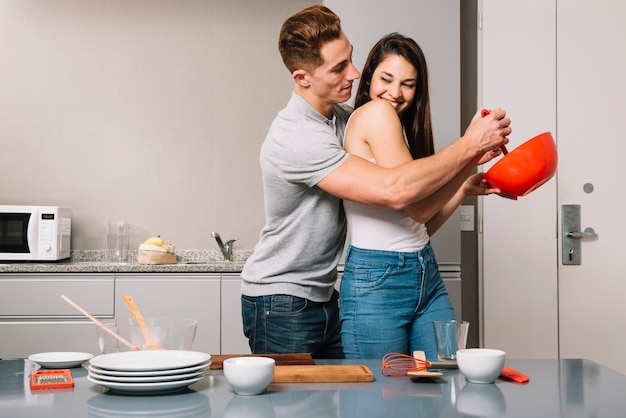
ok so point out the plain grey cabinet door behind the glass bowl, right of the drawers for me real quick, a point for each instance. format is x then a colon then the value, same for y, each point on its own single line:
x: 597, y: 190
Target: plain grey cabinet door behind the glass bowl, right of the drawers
x: 176, y: 295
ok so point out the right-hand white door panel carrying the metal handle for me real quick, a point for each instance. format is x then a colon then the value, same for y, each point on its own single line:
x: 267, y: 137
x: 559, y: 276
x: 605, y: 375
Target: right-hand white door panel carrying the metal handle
x: 591, y: 98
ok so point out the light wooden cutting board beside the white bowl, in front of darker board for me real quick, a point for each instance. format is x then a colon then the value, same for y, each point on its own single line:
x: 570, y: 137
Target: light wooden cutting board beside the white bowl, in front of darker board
x: 322, y: 374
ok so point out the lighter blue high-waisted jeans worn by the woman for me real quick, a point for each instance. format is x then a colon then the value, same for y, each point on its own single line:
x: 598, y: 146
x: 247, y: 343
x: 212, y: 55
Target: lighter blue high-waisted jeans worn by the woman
x: 389, y: 301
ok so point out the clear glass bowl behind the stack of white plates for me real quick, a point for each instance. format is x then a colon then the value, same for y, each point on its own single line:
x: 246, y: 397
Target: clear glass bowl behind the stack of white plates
x: 171, y: 333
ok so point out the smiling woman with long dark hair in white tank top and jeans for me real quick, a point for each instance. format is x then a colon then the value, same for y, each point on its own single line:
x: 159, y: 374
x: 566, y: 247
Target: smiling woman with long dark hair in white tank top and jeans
x: 391, y: 289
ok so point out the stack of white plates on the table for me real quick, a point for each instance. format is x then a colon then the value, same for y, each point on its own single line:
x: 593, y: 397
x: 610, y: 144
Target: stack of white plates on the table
x: 149, y: 371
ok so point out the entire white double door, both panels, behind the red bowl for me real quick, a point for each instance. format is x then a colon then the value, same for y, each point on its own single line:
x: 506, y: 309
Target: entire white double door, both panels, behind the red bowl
x: 557, y: 65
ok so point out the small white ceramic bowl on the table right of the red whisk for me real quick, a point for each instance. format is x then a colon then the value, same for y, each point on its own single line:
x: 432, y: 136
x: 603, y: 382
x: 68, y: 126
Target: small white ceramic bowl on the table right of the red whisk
x: 480, y: 365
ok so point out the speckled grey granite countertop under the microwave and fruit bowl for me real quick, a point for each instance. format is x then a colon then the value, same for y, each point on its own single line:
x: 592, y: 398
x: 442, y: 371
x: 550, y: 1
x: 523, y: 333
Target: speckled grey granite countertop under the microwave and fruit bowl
x: 95, y: 261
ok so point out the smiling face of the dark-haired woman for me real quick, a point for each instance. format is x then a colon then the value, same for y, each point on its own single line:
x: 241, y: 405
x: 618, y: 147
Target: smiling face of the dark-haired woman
x: 394, y: 80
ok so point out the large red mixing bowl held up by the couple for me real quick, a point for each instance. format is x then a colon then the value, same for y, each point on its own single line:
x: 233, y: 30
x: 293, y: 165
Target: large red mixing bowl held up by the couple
x: 526, y: 167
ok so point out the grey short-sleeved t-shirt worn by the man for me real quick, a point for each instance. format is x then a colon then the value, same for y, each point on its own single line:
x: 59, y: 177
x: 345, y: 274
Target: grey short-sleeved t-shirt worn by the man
x: 305, y: 228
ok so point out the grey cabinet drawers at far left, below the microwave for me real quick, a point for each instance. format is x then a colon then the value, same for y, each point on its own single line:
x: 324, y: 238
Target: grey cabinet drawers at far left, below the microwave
x: 34, y: 318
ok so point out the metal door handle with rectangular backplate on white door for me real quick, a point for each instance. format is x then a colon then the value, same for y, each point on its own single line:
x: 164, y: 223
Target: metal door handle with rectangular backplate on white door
x: 572, y: 236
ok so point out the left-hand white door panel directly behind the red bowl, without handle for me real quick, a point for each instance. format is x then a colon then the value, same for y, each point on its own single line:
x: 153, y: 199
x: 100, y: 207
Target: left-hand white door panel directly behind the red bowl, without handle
x: 519, y: 245
